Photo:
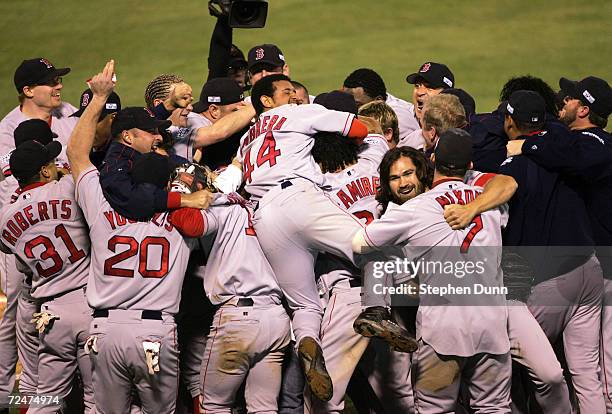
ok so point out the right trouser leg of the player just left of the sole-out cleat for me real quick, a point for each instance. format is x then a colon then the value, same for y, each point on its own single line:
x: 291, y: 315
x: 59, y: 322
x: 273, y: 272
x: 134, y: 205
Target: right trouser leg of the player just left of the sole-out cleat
x: 264, y: 378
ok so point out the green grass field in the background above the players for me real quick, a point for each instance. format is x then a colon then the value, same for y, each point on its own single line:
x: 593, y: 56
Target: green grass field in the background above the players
x: 484, y: 42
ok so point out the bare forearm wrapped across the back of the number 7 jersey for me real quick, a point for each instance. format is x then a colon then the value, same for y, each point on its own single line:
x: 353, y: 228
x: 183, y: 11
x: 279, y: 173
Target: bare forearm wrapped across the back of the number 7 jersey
x: 497, y: 191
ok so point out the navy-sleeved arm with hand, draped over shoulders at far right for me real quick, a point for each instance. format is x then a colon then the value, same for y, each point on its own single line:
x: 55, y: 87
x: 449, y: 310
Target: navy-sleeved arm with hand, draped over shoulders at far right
x: 581, y: 155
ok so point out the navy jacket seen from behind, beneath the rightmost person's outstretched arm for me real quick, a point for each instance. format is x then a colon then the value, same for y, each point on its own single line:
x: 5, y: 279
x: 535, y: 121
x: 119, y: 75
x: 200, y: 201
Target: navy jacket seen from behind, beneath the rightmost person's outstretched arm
x: 548, y: 218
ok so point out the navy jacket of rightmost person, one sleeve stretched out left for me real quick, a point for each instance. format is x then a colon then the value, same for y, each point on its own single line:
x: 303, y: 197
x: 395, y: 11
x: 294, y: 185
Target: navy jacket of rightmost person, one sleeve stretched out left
x: 587, y: 155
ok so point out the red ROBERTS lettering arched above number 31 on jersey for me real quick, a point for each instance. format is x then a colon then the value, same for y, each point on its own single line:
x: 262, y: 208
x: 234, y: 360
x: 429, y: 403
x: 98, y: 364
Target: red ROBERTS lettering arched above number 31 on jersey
x: 34, y: 214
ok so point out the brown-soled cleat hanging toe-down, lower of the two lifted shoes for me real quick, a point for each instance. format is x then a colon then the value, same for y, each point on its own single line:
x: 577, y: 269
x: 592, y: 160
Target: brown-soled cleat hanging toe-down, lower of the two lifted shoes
x: 317, y: 377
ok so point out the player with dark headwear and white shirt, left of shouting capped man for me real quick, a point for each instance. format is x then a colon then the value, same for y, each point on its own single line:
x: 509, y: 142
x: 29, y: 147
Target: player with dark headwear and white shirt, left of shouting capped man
x: 366, y: 86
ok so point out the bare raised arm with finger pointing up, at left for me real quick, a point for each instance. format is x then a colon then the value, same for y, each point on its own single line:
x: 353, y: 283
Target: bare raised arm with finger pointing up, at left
x: 82, y: 137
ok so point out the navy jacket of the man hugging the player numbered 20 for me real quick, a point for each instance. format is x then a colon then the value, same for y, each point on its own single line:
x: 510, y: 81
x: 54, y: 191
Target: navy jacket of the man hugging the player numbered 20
x: 134, y: 201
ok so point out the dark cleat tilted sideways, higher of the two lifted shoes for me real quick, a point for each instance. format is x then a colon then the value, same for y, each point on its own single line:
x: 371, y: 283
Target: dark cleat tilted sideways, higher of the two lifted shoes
x: 376, y: 321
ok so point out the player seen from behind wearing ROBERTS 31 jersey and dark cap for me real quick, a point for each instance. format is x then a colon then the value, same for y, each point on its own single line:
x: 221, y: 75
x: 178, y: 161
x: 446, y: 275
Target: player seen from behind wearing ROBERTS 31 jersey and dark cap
x: 45, y: 229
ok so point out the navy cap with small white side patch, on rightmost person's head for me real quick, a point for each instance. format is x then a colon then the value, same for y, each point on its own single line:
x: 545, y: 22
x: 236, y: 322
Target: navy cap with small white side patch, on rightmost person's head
x: 593, y: 92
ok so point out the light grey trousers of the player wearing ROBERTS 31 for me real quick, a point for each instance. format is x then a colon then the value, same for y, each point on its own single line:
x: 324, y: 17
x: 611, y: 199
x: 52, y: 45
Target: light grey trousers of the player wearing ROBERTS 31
x: 59, y: 348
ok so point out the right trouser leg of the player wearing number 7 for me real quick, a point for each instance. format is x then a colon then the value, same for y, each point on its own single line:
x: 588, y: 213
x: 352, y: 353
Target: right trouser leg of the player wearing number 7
x: 489, y: 379
